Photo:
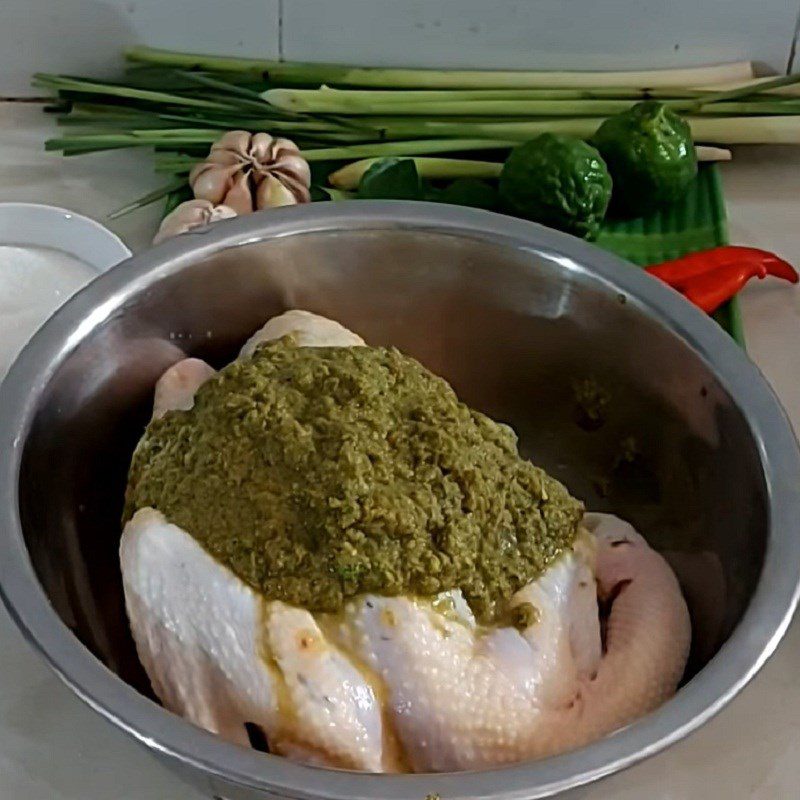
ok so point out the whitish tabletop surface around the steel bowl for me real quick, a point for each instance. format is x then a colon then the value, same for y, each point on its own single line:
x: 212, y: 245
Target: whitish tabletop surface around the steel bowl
x: 53, y: 747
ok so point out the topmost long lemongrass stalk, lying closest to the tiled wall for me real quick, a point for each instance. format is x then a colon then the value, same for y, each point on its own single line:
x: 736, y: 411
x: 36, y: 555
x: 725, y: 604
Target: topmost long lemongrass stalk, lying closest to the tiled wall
x: 298, y: 73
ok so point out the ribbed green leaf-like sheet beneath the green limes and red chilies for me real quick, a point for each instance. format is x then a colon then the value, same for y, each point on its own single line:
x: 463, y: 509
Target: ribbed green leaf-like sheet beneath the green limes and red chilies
x: 698, y: 222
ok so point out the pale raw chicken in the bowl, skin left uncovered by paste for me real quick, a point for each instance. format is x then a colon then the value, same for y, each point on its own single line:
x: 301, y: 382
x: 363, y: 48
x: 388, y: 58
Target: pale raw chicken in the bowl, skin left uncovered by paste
x: 394, y: 684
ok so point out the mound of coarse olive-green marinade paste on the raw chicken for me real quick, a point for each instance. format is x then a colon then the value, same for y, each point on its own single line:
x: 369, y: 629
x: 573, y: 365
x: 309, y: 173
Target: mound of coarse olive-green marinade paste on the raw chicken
x: 316, y: 474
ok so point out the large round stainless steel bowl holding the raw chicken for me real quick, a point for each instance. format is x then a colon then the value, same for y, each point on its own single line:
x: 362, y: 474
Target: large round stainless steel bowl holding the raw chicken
x: 694, y: 447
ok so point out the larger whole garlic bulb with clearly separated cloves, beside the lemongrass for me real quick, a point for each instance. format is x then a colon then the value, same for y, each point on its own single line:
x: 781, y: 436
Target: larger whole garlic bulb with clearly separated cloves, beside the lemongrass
x: 252, y: 171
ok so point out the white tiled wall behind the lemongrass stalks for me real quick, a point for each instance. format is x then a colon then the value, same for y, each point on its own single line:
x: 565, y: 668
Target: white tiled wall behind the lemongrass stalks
x: 86, y: 36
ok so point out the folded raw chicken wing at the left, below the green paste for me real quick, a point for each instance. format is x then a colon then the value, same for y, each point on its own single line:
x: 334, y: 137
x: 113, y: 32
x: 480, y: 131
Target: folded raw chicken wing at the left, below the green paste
x: 219, y: 655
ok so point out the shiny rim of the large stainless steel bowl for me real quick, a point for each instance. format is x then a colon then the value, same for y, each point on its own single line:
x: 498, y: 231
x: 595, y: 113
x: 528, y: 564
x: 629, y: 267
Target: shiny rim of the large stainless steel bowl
x: 750, y: 645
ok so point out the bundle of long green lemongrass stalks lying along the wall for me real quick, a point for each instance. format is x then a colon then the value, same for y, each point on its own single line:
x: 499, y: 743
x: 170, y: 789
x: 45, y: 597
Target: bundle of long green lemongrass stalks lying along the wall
x: 455, y: 123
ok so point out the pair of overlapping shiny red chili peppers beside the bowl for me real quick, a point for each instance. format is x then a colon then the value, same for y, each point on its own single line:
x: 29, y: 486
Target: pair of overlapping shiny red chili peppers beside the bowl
x: 711, y: 277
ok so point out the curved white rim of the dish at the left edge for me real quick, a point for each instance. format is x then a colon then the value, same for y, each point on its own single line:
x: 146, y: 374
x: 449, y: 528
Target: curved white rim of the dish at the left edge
x: 38, y: 225
